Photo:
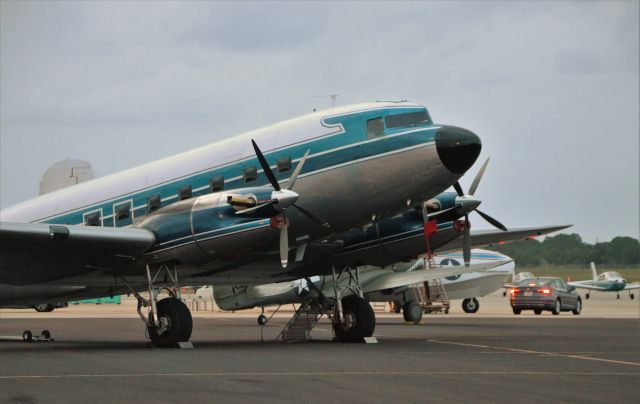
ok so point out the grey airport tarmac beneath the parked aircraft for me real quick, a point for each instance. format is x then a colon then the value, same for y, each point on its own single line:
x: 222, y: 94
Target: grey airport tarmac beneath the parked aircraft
x: 487, y: 357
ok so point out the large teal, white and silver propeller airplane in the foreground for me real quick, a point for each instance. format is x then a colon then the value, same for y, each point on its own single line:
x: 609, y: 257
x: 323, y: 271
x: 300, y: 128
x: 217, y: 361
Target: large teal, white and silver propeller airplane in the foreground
x: 227, y: 213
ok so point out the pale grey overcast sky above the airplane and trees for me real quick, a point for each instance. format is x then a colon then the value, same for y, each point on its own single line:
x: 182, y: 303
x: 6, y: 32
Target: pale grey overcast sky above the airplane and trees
x: 552, y: 88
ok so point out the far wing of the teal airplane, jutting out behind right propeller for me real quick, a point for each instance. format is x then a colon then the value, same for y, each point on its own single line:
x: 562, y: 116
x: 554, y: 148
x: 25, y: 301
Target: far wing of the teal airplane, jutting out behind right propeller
x: 483, y: 238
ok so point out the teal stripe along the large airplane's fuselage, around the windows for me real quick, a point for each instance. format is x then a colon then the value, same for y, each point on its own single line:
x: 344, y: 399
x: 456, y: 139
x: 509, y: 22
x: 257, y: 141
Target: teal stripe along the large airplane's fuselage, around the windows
x: 352, y: 149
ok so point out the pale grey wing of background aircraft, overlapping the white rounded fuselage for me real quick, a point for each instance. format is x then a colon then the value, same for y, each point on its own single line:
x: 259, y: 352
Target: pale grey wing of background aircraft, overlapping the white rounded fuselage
x: 397, y: 279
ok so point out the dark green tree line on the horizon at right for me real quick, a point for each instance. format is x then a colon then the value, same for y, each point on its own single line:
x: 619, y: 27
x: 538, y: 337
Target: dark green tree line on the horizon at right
x: 569, y: 249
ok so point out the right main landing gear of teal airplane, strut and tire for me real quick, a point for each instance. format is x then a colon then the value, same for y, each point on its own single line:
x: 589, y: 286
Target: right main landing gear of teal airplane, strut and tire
x: 354, y: 319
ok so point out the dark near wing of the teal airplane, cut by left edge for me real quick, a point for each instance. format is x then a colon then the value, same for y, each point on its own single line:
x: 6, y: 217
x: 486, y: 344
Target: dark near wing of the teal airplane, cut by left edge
x: 35, y: 252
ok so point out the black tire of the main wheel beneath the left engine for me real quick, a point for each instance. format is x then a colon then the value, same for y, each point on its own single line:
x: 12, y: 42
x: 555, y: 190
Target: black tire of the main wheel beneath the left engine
x: 180, y: 323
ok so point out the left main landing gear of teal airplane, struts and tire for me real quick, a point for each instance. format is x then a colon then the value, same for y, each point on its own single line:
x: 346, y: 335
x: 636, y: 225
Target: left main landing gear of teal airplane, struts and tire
x: 168, y: 321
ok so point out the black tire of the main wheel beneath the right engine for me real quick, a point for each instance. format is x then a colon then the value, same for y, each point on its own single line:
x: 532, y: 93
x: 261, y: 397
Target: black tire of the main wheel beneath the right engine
x: 359, y: 320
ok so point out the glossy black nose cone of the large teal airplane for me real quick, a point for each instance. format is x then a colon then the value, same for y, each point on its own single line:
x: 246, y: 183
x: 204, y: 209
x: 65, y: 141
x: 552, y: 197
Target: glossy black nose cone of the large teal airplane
x: 458, y: 148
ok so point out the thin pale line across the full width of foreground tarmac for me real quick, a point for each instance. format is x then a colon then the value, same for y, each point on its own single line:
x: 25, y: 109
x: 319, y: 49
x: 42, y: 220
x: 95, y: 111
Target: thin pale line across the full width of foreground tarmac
x: 278, y: 374
